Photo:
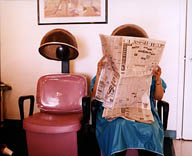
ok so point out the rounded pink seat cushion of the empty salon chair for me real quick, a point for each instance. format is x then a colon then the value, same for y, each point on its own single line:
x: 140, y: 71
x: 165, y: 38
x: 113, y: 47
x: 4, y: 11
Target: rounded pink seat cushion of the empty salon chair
x: 53, y: 123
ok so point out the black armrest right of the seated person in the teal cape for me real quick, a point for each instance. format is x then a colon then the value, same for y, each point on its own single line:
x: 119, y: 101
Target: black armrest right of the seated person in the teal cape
x: 163, y: 105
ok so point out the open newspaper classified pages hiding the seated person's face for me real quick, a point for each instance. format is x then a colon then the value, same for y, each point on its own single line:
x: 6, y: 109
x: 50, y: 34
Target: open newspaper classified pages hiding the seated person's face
x: 124, y: 76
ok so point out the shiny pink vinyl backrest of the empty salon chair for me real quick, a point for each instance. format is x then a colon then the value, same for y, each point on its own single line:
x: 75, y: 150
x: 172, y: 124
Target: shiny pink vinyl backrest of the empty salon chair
x: 61, y: 93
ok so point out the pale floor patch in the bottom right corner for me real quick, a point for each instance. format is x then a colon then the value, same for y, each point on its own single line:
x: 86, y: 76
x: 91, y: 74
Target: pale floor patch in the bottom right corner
x: 183, y: 147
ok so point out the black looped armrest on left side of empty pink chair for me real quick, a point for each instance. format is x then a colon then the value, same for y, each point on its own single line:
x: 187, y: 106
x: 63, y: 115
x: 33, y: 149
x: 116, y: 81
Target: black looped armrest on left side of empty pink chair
x: 21, y: 105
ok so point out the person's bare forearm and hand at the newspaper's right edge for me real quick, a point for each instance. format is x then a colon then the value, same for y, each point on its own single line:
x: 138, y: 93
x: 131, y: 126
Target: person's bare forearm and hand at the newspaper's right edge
x: 159, y: 91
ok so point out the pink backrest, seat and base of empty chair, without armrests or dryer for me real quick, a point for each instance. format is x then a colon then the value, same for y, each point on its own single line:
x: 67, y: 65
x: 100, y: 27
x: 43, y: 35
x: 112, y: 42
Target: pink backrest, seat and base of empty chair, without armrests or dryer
x: 53, y: 130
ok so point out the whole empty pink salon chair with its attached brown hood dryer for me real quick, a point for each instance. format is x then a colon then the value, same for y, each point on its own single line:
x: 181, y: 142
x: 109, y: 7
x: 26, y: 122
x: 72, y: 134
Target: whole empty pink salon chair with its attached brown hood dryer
x: 53, y: 130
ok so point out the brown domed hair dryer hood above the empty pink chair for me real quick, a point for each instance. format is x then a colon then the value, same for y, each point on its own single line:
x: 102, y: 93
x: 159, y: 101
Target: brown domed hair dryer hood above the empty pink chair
x: 59, y: 44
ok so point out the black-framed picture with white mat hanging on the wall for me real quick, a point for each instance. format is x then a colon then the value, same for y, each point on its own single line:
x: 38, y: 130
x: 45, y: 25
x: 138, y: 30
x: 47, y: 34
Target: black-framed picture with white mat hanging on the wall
x: 72, y: 11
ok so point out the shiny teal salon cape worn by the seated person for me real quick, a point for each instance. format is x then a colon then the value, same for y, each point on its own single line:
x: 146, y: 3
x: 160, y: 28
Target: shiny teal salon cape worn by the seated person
x: 120, y: 134
